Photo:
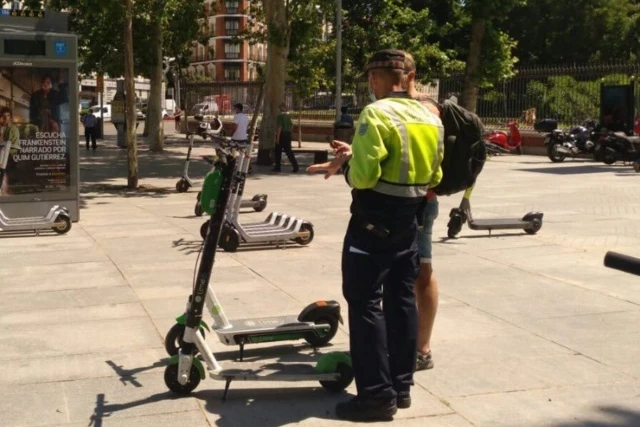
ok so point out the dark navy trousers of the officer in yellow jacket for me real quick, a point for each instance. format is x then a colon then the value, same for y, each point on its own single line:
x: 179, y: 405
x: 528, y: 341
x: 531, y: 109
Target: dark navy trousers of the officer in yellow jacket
x: 378, y: 279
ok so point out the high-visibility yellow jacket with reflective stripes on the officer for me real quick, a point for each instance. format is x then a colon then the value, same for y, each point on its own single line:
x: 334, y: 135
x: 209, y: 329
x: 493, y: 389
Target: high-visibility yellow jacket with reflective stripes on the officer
x: 397, y: 149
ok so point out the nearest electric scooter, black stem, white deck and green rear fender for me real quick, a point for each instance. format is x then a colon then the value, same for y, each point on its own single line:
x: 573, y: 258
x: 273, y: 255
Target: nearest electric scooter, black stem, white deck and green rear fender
x: 185, y: 370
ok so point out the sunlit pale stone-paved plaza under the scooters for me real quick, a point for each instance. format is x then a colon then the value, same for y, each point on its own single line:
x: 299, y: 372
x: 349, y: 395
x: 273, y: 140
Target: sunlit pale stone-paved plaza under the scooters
x: 531, y: 330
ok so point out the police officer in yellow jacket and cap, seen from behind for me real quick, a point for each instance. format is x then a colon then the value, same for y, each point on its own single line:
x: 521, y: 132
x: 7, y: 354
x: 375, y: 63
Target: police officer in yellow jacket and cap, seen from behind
x: 394, y: 158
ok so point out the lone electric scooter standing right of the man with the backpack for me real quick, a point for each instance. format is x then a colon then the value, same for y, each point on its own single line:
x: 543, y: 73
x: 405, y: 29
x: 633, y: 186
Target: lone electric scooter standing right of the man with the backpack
x: 531, y: 223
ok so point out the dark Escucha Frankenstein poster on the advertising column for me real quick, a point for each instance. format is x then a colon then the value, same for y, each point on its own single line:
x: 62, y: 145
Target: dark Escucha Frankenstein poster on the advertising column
x: 35, y: 121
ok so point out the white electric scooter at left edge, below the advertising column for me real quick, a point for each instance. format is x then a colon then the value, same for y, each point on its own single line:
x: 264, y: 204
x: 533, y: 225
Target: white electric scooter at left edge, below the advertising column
x: 57, y: 219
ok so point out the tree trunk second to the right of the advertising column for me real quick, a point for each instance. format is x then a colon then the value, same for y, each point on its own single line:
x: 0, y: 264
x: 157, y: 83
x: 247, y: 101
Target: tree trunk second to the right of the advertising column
x: 154, y: 106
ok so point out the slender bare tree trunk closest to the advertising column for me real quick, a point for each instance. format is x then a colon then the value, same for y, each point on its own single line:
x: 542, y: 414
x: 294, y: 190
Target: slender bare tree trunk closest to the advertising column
x: 129, y: 76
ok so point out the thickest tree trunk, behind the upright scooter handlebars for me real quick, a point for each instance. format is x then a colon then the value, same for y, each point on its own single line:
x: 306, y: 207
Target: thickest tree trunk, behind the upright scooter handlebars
x: 277, y: 51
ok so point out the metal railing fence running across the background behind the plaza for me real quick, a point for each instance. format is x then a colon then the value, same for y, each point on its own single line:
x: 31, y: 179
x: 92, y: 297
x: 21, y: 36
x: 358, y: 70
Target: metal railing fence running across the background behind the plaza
x: 568, y: 93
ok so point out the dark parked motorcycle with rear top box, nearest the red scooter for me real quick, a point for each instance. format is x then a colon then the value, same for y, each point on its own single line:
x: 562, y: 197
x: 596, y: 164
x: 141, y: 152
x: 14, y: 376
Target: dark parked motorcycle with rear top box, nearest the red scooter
x: 560, y: 144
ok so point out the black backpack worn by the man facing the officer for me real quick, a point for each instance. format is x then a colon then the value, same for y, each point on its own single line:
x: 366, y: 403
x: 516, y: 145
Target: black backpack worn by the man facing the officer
x: 464, y: 149
